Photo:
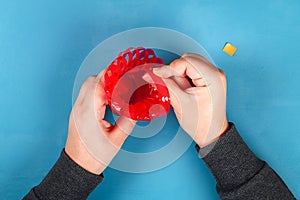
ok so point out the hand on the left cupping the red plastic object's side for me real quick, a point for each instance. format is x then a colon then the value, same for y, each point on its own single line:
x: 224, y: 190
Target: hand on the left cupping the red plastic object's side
x: 93, y: 142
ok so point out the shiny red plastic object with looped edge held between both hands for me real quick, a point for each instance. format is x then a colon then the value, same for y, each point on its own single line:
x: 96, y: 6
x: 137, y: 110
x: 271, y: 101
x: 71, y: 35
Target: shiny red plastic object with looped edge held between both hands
x: 128, y: 93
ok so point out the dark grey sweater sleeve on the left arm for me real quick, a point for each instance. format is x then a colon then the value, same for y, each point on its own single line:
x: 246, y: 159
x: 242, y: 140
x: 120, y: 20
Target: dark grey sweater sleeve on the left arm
x: 66, y: 180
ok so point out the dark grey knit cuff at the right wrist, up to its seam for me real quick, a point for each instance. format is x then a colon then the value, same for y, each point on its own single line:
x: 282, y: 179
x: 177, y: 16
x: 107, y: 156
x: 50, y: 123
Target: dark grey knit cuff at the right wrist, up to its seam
x: 230, y: 160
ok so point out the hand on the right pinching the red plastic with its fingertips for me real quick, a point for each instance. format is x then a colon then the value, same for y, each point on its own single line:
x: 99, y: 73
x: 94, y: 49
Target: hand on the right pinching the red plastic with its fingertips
x: 198, y: 96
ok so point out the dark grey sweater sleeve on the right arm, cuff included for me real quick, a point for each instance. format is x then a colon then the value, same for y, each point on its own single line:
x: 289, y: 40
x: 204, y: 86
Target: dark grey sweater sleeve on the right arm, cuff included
x: 239, y: 173
